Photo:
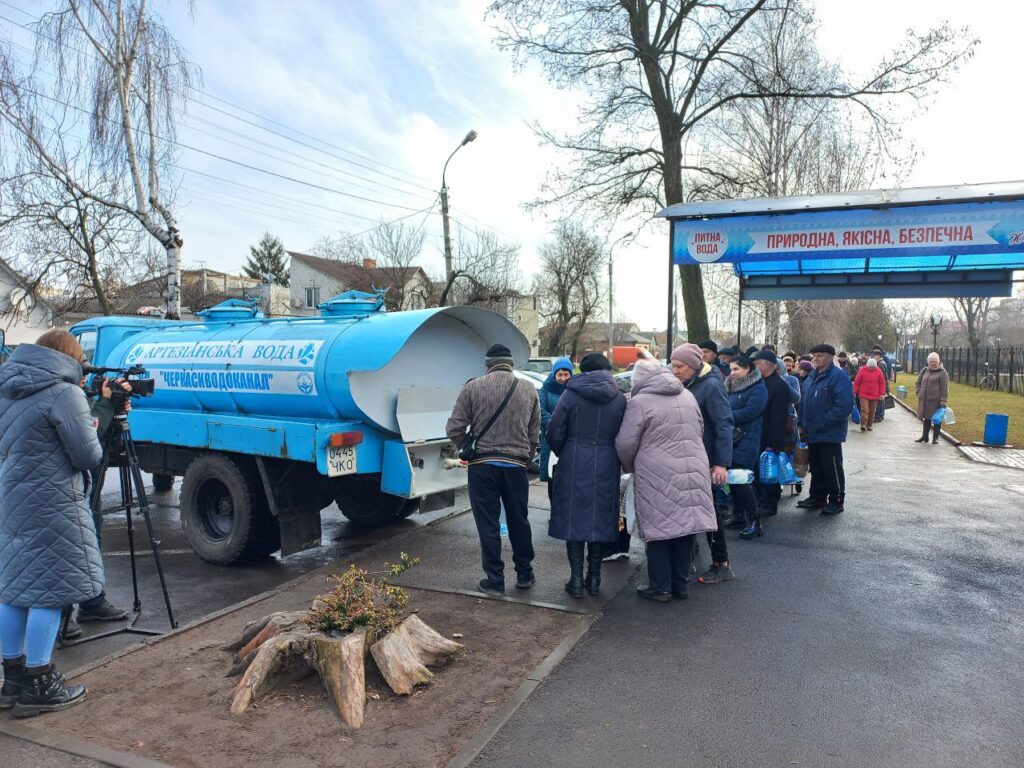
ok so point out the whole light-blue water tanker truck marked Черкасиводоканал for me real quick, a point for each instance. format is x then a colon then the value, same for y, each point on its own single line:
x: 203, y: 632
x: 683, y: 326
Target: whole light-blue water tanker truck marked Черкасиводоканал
x: 269, y: 421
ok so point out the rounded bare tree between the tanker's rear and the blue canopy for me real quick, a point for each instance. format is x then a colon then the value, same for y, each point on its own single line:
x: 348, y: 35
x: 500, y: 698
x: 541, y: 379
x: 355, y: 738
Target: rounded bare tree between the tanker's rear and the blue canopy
x: 569, y: 286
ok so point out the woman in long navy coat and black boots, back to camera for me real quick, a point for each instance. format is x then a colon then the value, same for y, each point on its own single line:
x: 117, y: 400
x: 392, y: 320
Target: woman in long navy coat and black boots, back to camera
x: 585, y: 501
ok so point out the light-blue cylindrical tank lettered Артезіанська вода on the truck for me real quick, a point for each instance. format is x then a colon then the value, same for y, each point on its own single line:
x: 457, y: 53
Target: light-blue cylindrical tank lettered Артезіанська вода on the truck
x: 349, y: 364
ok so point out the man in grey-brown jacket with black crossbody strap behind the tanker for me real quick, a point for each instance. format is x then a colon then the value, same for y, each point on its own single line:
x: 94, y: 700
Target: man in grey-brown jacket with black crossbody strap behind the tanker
x: 498, y: 472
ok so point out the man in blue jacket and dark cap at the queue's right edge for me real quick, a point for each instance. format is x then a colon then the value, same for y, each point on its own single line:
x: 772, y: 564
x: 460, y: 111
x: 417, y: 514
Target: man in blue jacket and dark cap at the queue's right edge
x: 825, y: 414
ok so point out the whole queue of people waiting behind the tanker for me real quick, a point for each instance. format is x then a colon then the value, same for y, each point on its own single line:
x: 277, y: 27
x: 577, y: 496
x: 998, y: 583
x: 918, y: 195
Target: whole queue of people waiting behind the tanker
x: 679, y: 433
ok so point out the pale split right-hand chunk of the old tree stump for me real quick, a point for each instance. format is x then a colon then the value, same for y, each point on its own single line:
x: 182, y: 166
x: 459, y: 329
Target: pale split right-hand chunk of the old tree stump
x: 403, y: 656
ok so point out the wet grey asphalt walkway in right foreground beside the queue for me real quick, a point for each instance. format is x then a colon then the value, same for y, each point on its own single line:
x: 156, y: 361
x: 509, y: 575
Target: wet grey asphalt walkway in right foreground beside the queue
x: 890, y: 635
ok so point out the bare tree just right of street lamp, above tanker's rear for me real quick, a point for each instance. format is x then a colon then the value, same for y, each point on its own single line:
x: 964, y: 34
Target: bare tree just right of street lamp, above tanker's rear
x: 486, y: 271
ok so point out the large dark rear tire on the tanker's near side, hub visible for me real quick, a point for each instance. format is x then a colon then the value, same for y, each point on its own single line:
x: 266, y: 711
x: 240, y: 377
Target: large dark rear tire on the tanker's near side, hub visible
x: 225, y: 515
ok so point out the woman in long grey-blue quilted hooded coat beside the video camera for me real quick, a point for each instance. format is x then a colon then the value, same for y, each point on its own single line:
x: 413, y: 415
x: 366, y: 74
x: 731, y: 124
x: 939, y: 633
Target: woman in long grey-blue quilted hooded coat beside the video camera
x: 51, y: 559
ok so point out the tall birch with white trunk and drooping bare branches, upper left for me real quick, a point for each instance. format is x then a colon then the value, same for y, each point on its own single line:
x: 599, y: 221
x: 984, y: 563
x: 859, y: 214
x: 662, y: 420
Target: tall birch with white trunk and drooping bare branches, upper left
x: 121, y: 69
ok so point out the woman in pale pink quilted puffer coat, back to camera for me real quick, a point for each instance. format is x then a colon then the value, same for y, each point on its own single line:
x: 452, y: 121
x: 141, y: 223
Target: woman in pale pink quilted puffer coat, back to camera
x: 661, y: 443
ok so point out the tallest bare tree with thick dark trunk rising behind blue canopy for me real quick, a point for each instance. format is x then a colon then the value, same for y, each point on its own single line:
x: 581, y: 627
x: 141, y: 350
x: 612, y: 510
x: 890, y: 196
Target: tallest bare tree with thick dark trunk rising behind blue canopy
x: 656, y: 71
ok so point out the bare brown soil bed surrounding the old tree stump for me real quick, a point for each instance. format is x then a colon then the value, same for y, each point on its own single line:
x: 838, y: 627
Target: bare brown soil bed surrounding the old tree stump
x: 169, y: 701
